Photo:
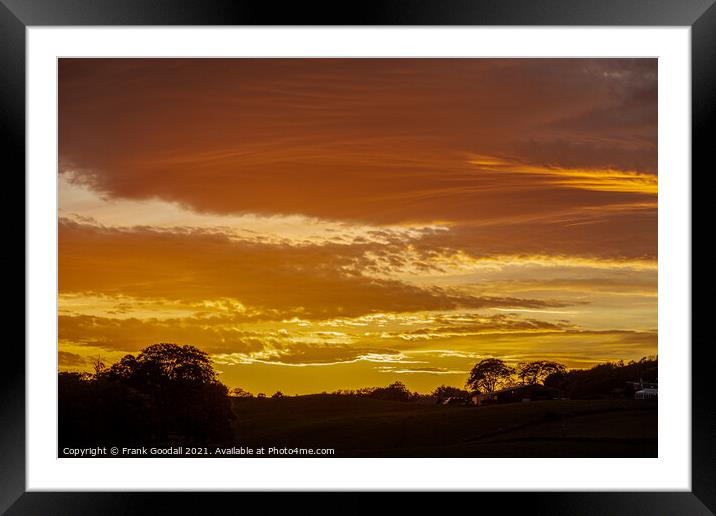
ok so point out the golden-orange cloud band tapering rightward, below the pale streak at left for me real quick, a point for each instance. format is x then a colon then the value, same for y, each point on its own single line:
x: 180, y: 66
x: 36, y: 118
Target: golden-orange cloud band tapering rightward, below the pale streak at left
x: 273, y: 281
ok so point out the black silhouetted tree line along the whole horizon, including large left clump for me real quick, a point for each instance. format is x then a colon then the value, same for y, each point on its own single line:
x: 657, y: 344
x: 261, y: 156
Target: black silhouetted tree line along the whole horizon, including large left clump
x: 169, y: 393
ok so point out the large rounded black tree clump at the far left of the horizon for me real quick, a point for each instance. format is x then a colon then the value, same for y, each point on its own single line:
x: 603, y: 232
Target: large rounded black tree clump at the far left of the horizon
x: 165, y: 393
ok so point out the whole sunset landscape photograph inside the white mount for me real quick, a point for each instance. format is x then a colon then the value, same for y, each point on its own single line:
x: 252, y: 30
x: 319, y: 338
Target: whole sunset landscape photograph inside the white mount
x: 357, y: 257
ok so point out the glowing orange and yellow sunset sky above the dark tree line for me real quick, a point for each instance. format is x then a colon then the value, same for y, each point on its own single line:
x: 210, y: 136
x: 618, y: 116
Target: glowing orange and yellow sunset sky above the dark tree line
x: 317, y: 224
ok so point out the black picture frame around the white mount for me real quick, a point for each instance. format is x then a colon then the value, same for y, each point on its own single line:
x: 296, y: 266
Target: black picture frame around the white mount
x: 17, y: 15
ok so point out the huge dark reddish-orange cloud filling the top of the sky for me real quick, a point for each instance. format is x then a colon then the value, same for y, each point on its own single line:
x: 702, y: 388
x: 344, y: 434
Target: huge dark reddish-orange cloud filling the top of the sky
x: 380, y: 140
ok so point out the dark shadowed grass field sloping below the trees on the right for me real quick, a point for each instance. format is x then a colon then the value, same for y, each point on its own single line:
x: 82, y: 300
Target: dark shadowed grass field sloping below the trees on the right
x: 361, y: 427
